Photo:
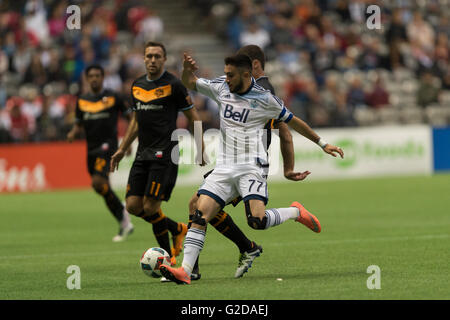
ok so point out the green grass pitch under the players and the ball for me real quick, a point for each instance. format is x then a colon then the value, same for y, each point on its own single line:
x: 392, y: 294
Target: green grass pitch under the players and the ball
x: 401, y: 225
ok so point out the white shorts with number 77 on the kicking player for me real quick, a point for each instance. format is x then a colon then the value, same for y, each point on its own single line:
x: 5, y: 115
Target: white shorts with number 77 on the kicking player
x: 226, y: 183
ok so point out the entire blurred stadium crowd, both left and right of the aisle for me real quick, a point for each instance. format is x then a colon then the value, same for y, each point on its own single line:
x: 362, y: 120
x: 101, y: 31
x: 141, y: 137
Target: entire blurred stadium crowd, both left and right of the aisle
x: 324, y: 61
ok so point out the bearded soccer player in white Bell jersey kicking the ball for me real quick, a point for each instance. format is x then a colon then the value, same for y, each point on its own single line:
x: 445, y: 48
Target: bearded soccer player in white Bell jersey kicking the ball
x: 244, y: 109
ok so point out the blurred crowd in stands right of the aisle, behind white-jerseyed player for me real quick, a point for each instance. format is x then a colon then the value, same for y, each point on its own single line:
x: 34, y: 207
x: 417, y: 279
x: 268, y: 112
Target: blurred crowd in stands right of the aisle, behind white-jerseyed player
x: 333, y: 68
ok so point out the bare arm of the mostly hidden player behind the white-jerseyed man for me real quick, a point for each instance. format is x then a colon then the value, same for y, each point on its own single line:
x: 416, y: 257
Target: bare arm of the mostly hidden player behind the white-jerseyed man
x: 287, y: 151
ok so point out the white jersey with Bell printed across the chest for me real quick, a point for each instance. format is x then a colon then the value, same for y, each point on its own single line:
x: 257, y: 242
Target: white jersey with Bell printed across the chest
x: 242, y: 120
